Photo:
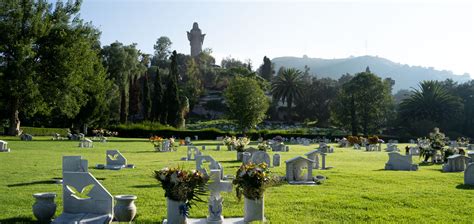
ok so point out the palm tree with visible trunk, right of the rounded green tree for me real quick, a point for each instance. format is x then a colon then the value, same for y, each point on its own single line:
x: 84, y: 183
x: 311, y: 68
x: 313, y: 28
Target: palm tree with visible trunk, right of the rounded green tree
x: 287, y: 87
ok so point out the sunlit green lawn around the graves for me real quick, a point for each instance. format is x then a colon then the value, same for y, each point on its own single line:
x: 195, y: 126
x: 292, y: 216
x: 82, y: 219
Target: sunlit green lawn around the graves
x: 357, y: 189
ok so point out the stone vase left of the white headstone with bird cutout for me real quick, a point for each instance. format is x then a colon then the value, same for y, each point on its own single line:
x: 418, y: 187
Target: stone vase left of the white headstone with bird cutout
x: 44, y: 207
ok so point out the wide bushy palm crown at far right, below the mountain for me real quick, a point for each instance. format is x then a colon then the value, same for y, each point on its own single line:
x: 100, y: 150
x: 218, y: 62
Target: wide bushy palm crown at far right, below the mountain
x: 431, y: 102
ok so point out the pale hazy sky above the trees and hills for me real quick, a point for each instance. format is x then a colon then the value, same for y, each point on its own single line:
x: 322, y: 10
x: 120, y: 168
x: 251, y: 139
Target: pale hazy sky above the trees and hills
x: 437, y: 34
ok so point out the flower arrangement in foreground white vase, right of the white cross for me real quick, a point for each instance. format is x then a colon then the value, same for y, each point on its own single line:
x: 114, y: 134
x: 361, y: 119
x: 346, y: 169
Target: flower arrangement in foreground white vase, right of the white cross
x: 251, y: 180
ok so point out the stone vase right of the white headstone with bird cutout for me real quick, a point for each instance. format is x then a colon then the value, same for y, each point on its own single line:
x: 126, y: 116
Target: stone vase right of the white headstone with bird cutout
x: 125, y: 209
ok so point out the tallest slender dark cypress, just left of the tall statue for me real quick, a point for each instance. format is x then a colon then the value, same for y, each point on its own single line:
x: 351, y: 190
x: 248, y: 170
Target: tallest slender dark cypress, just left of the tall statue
x: 171, y: 97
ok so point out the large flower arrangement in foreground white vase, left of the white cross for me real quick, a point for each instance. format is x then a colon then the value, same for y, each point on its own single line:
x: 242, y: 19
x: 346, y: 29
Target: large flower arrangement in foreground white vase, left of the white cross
x: 182, y: 185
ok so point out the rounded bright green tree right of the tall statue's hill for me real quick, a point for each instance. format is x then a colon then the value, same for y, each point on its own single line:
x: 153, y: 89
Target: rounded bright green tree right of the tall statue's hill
x: 246, y: 101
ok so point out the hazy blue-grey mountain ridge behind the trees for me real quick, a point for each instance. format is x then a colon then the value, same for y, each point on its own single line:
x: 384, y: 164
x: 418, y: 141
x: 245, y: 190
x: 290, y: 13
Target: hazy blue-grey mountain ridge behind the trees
x: 405, y: 76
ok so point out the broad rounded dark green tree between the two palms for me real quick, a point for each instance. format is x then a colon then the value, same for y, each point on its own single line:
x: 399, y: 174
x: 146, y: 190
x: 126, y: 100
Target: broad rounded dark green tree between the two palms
x: 363, y: 103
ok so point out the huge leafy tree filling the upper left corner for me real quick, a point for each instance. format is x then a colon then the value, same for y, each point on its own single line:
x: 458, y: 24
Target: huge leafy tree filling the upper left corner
x: 44, y: 55
